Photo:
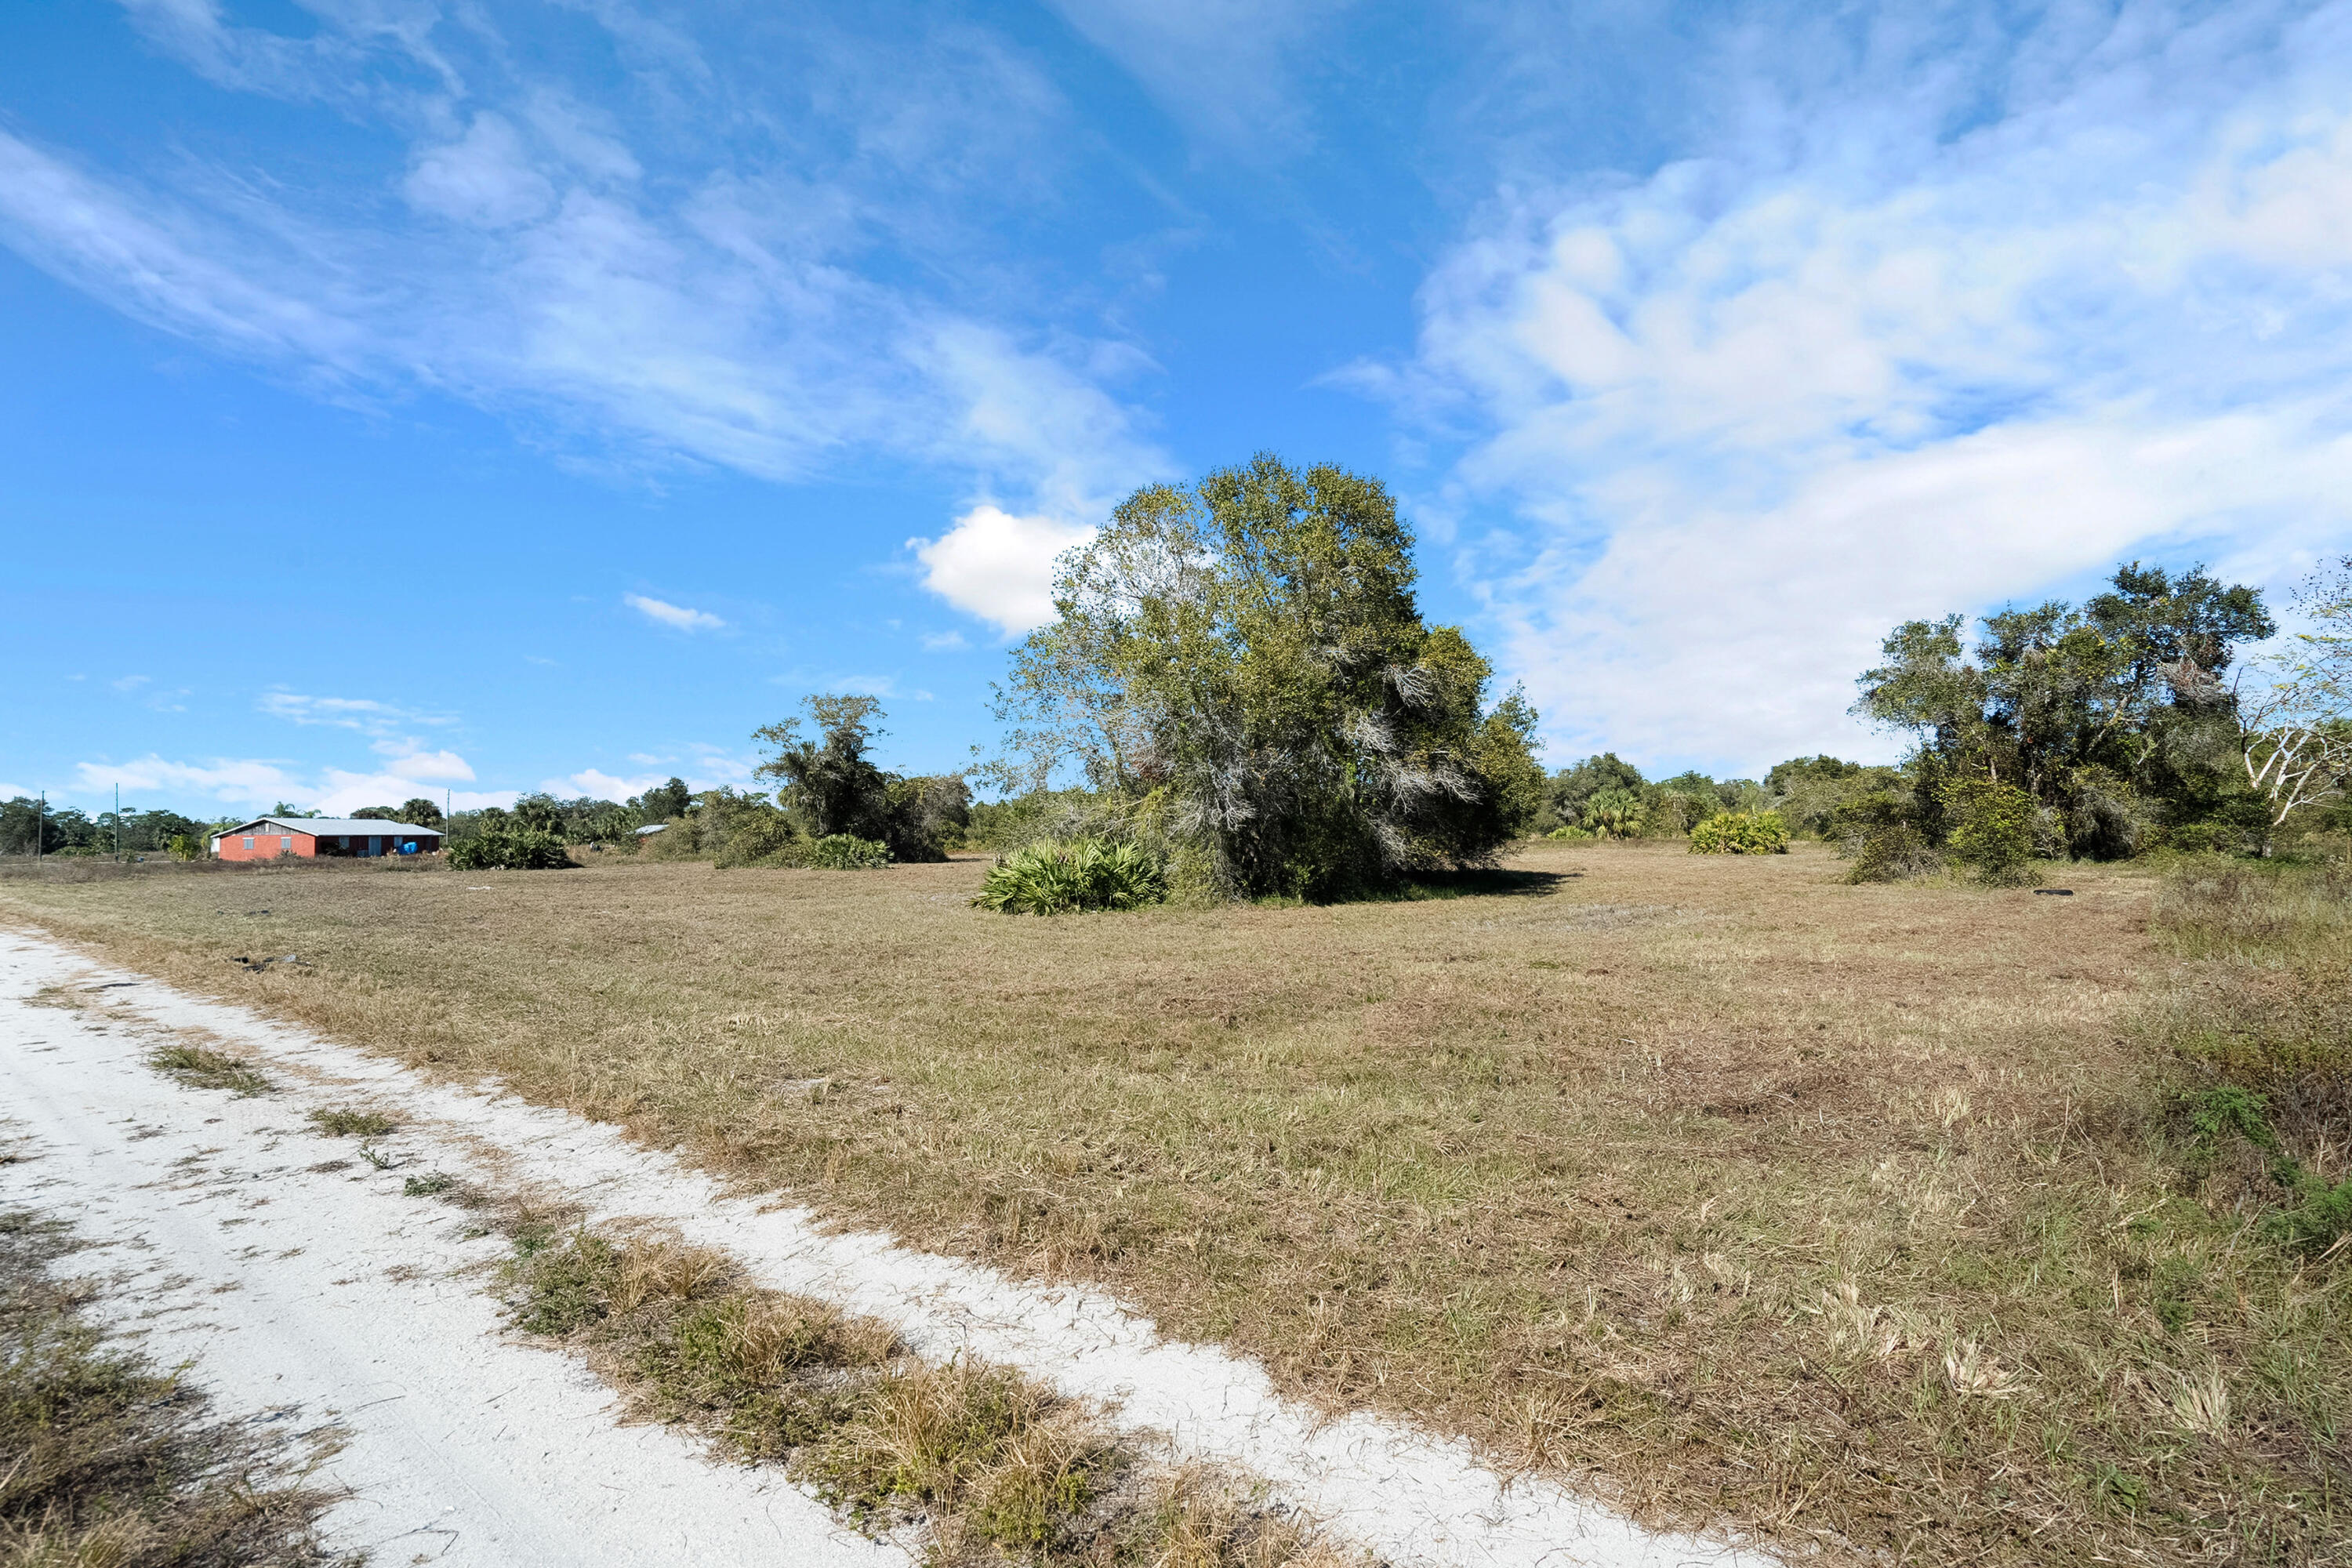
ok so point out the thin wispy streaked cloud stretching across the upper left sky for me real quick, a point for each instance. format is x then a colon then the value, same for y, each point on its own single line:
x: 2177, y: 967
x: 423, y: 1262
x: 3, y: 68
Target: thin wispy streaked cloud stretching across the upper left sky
x: 789, y: 293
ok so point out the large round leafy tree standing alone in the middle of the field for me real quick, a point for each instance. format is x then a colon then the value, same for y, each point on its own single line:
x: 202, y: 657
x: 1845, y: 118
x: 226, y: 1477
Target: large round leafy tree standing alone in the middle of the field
x: 1248, y: 666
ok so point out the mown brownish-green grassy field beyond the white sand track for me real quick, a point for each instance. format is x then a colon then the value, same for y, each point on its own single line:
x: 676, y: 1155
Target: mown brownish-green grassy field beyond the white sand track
x: 1850, y: 1214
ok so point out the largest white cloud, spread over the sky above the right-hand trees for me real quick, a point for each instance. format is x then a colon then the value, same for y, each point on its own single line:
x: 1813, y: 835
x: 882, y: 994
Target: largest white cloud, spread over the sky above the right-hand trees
x: 1758, y: 408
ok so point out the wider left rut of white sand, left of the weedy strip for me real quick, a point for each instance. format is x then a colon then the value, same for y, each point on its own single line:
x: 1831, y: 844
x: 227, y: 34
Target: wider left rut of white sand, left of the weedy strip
x: 326, y: 1304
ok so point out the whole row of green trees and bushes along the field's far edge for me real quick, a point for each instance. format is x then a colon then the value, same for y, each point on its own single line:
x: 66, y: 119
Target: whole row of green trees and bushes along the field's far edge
x: 1241, y: 697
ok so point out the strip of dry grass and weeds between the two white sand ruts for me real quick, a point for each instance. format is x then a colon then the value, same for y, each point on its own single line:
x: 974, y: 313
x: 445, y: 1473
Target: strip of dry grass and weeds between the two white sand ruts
x: 996, y: 1466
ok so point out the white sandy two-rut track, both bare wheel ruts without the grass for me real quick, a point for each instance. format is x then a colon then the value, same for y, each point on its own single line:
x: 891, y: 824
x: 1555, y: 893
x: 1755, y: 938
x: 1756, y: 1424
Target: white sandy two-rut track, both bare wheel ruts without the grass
x: 516, y: 1466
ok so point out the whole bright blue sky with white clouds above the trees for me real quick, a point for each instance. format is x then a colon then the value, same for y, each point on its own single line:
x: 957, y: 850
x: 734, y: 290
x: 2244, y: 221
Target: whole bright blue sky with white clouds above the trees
x: 493, y: 396
